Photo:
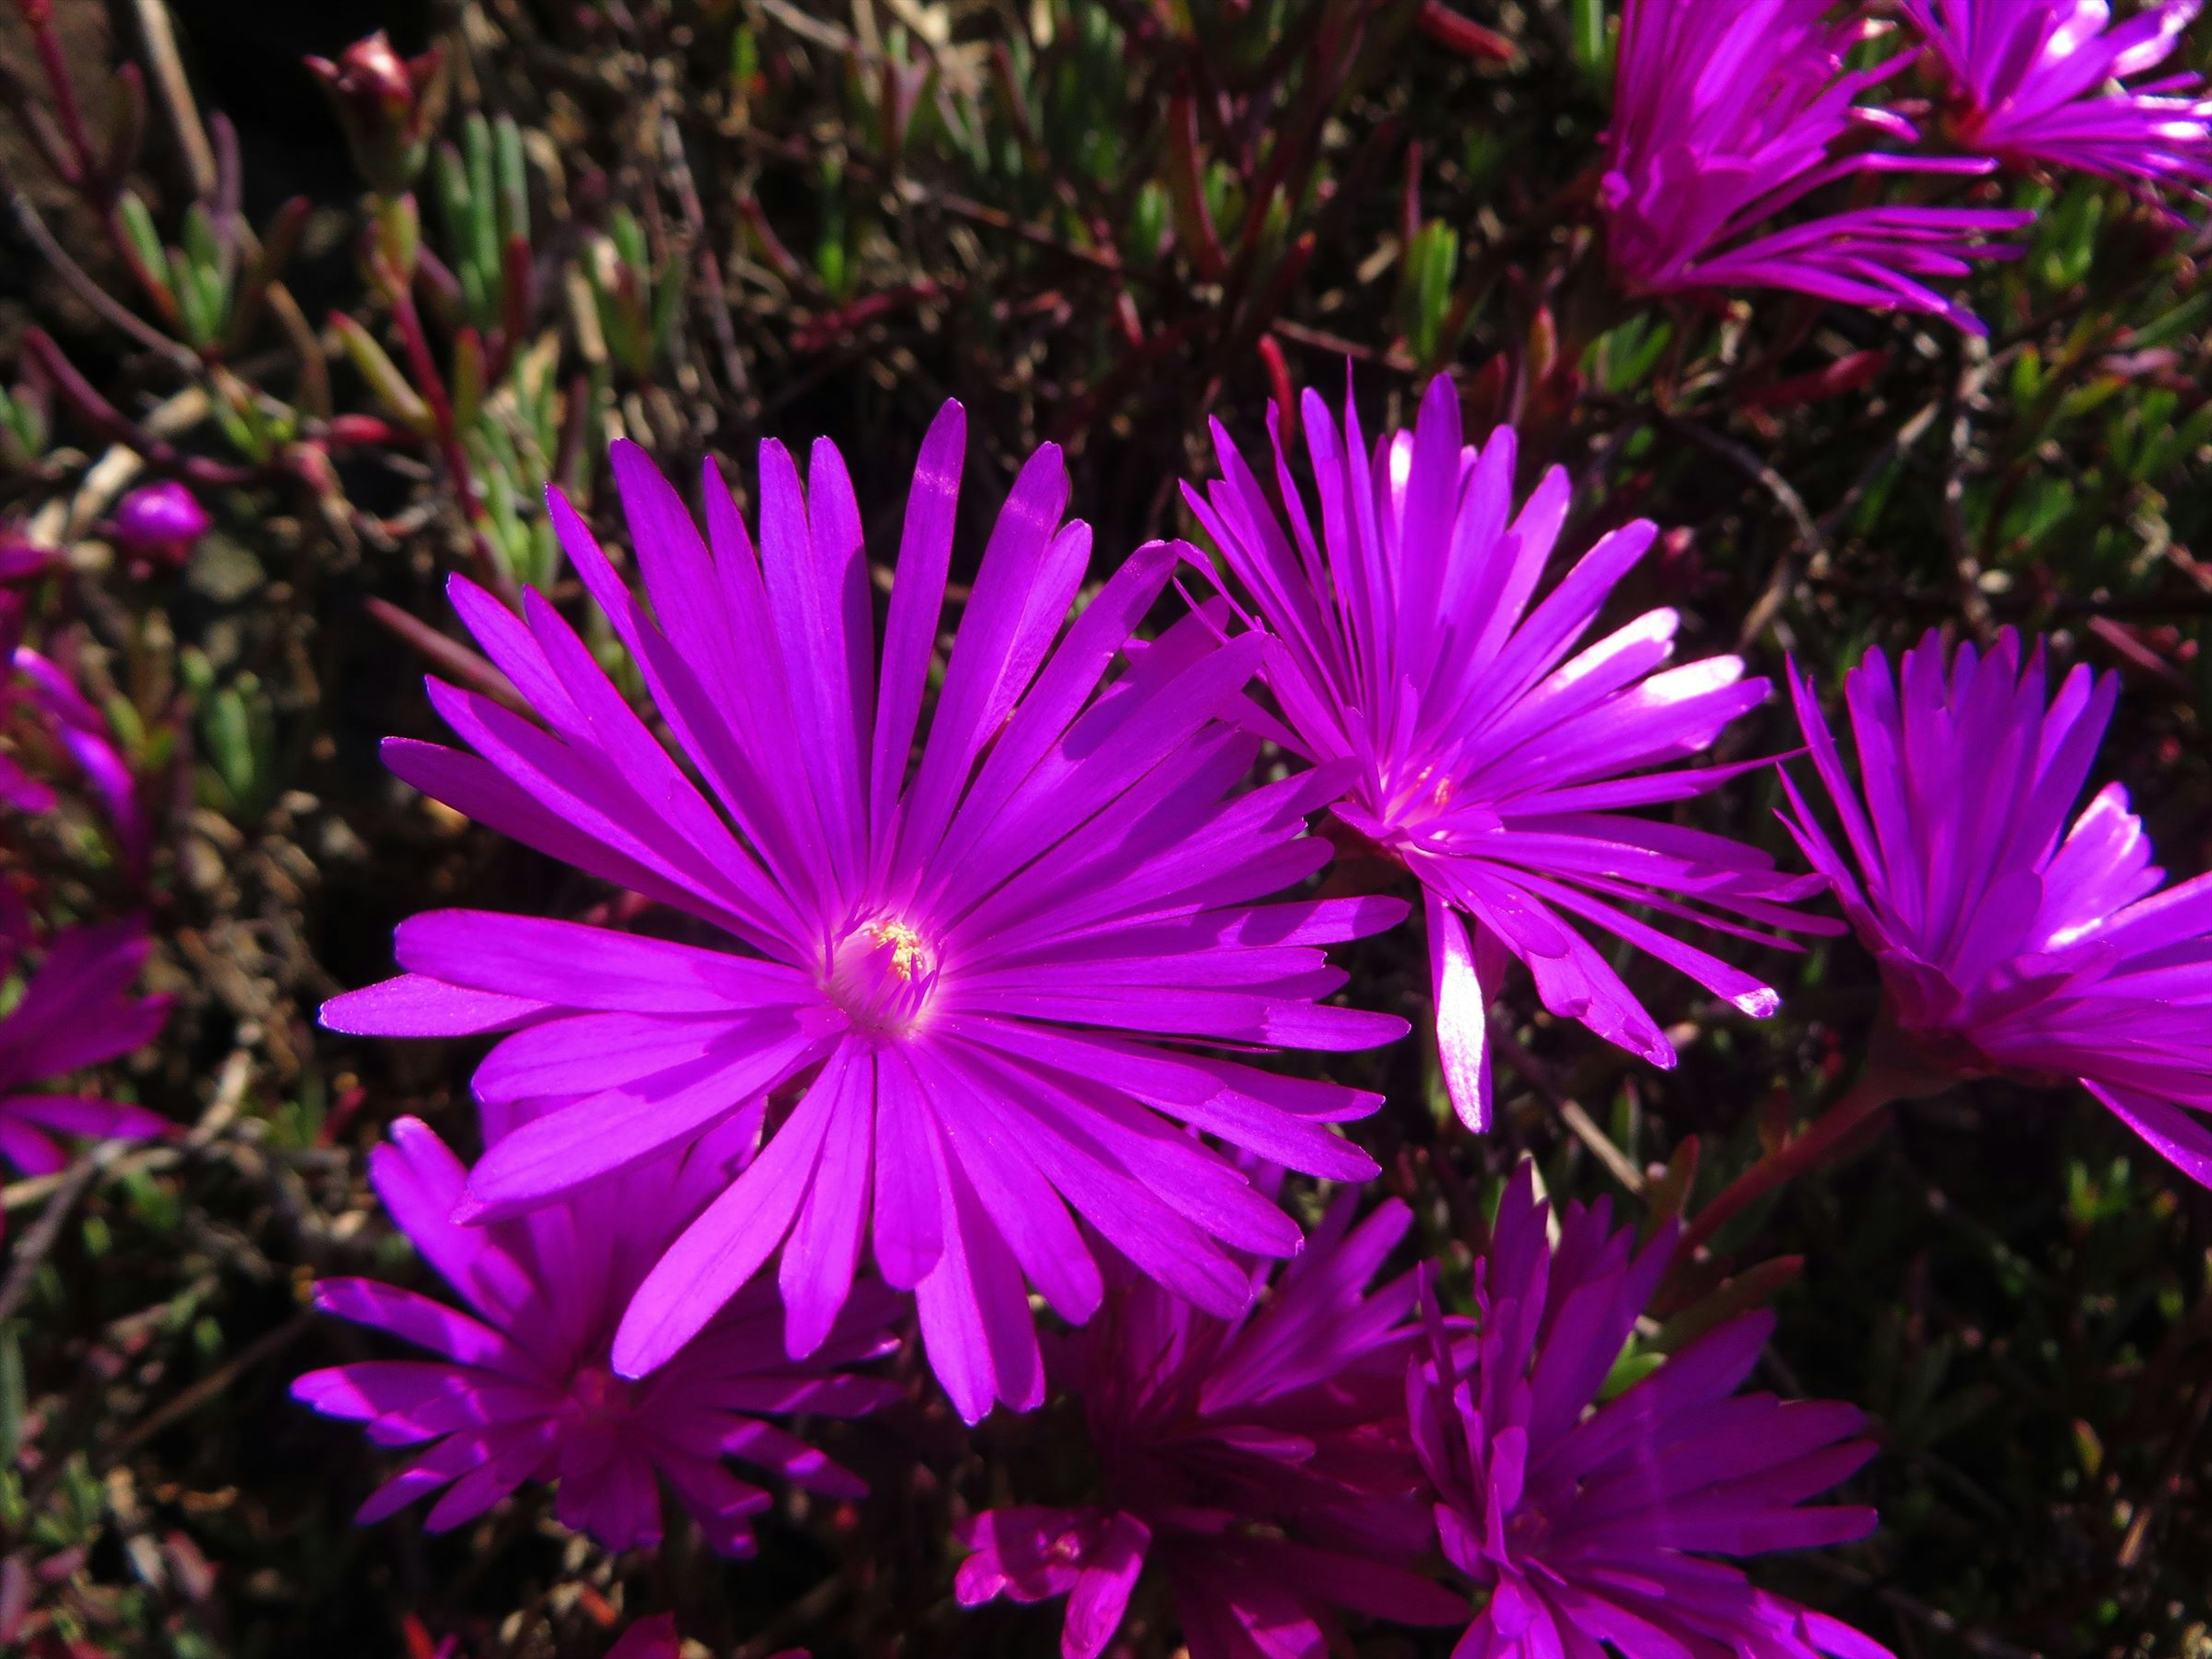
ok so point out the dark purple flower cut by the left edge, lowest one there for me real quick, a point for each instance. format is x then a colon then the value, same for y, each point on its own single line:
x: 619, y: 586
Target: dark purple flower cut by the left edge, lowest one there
x: 76, y: 1012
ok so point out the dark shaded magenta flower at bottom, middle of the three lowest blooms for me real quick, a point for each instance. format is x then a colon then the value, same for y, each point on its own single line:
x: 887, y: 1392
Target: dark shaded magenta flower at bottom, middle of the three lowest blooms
x: 1260, y: 1463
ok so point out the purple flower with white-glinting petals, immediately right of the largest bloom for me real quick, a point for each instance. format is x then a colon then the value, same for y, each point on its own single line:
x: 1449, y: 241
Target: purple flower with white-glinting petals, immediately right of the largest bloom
x: 1479, y: 751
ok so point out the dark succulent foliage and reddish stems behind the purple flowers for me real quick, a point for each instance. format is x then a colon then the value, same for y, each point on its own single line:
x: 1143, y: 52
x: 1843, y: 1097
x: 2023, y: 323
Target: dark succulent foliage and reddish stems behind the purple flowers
x: 1096, y: 222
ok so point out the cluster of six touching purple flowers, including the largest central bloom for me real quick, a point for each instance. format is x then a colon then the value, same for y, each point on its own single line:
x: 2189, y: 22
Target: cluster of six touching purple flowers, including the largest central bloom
x: 974, y: 999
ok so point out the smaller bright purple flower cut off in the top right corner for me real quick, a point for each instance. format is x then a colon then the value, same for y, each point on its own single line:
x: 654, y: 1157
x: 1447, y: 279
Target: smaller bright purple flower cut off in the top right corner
x: 2043, y: 81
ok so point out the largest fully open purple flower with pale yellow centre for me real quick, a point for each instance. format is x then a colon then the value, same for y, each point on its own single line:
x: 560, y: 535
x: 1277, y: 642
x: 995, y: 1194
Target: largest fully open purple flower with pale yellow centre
x: 970, y: 970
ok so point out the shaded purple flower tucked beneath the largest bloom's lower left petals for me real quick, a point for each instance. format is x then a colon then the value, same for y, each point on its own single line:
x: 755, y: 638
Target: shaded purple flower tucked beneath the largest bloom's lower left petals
x: 521, y: 1386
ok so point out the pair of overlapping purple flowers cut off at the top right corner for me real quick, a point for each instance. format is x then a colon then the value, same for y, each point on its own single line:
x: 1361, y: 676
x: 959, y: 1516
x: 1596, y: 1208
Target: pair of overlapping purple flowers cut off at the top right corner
x: 1729, y: 114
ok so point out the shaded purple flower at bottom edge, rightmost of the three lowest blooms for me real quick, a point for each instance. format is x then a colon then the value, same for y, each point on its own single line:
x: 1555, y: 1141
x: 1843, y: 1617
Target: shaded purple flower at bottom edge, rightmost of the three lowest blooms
x: 1589, y: 1523
